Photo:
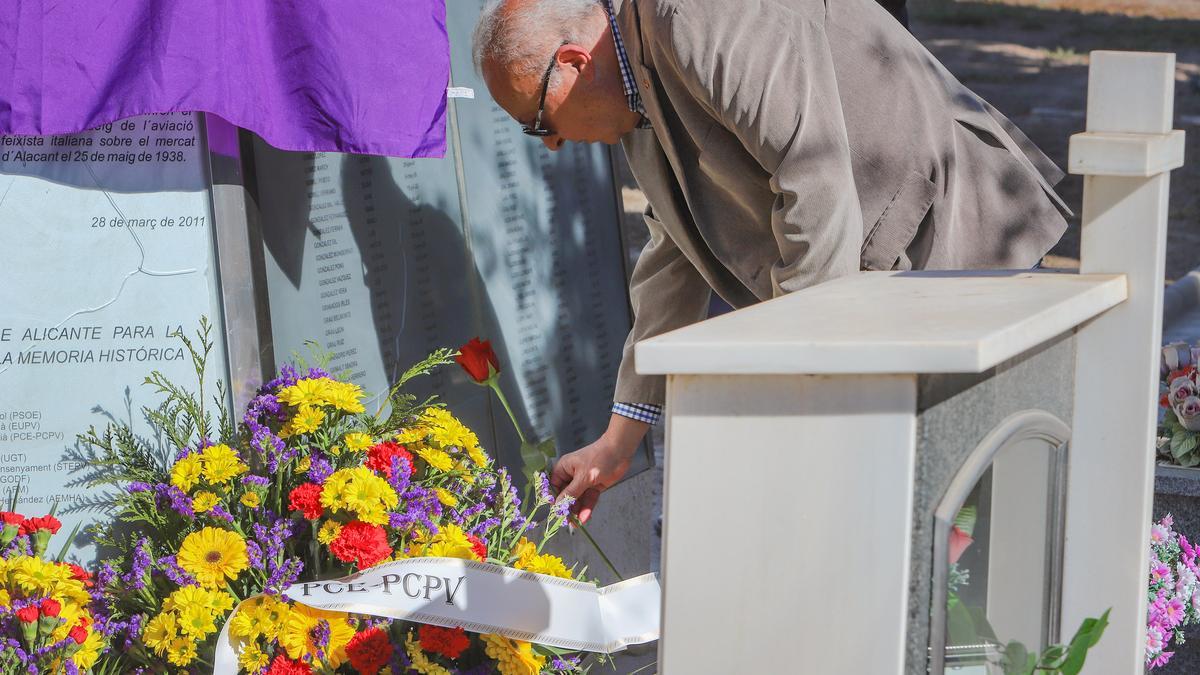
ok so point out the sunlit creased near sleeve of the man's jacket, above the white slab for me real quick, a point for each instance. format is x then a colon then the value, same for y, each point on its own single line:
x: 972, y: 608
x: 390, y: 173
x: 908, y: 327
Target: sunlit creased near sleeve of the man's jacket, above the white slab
x: 765, y: 74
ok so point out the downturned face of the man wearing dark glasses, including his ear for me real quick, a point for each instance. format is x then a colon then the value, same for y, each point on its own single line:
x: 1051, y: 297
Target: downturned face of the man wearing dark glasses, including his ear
x: 583, y: 106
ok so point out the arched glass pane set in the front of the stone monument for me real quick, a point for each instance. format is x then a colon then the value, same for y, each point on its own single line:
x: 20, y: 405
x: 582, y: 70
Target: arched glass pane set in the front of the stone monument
x: 1000, y: 554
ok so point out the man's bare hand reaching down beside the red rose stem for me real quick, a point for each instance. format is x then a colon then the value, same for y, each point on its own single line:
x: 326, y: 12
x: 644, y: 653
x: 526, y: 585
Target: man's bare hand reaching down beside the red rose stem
x: 593, y: 469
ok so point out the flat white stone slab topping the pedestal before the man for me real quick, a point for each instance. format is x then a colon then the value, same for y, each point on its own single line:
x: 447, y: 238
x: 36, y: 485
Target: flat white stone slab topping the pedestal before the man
x: 889, y: 322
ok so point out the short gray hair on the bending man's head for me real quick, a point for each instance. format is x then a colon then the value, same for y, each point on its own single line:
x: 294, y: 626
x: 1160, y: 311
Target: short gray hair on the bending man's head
x: 521, y: 41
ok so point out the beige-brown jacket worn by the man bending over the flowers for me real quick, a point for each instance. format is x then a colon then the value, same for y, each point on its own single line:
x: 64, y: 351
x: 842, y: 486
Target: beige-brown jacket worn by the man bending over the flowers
x: 796, y: 141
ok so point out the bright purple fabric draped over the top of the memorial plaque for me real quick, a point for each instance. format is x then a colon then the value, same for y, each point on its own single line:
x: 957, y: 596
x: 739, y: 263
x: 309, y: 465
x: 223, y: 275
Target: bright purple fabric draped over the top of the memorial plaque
x: 353, y: 76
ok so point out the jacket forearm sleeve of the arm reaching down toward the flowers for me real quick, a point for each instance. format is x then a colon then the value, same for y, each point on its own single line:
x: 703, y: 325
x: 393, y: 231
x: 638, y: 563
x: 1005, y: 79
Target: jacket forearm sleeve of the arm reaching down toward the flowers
x: 668, y: 294
